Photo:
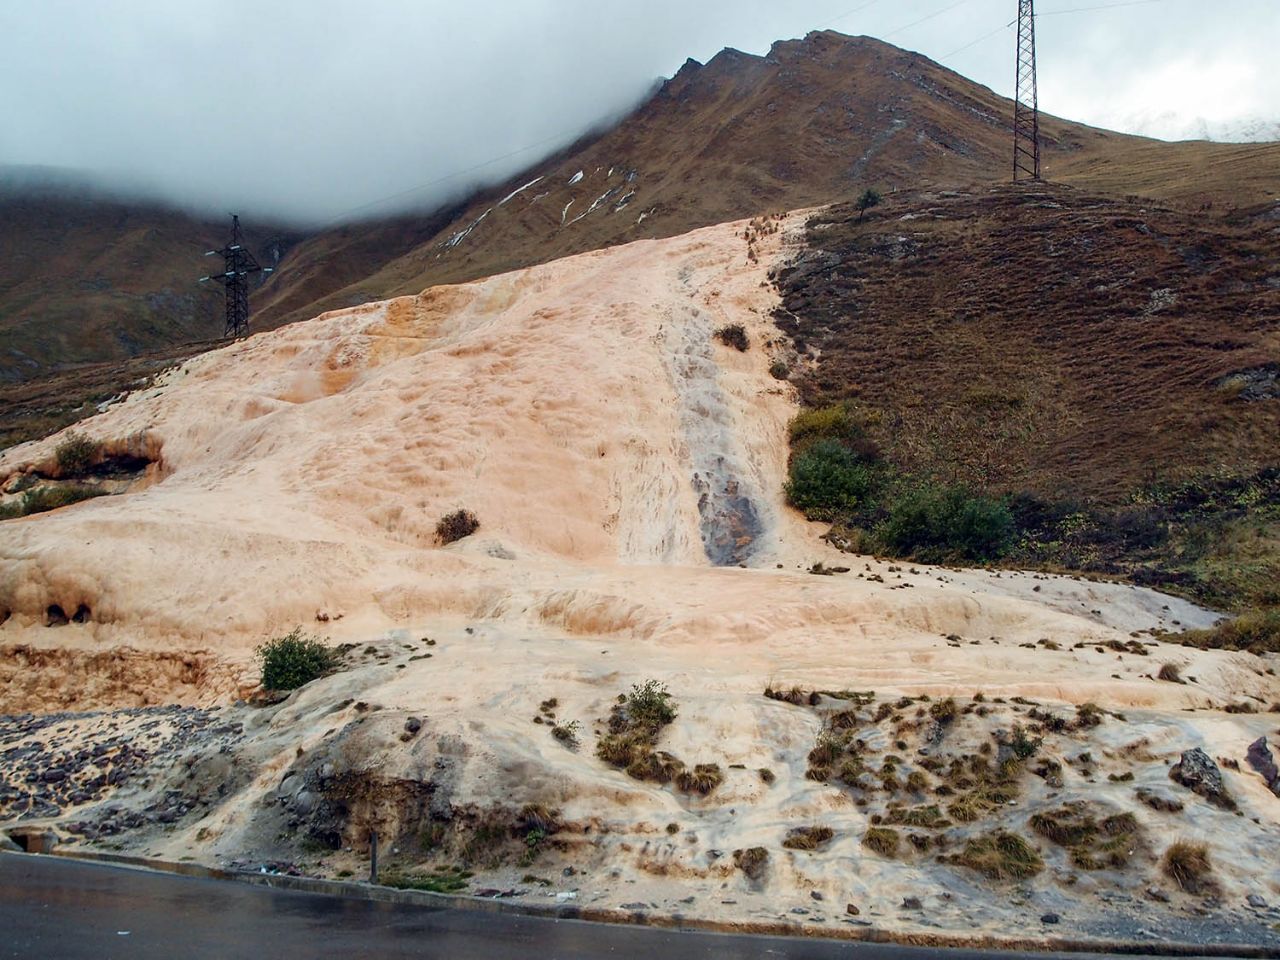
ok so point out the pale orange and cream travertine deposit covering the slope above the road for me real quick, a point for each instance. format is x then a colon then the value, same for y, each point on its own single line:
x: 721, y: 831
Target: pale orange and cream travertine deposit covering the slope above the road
x: 618, y: 458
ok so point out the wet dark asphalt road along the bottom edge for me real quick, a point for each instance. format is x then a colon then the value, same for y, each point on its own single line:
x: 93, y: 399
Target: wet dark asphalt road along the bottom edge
x: 54, y: 909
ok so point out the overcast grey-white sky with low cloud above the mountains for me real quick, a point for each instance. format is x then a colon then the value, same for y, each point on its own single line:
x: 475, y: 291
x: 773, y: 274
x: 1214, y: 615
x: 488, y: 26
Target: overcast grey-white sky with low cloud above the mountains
x: 316, y: 109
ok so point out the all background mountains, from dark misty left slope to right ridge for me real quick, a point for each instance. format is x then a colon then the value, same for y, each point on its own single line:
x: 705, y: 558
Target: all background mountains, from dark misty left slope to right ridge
x: 812, y: 122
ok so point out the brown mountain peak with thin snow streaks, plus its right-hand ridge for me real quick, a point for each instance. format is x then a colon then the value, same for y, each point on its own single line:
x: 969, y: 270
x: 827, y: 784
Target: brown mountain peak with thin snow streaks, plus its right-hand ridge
x: 815, y: 121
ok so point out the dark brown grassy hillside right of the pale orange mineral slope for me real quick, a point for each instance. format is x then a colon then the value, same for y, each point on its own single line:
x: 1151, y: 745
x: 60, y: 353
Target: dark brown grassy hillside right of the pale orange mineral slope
x: 1114, y: 363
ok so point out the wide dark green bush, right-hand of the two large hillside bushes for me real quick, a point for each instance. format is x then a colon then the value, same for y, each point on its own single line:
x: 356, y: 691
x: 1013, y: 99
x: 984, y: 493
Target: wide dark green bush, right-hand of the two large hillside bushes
x: 947, y: 523
